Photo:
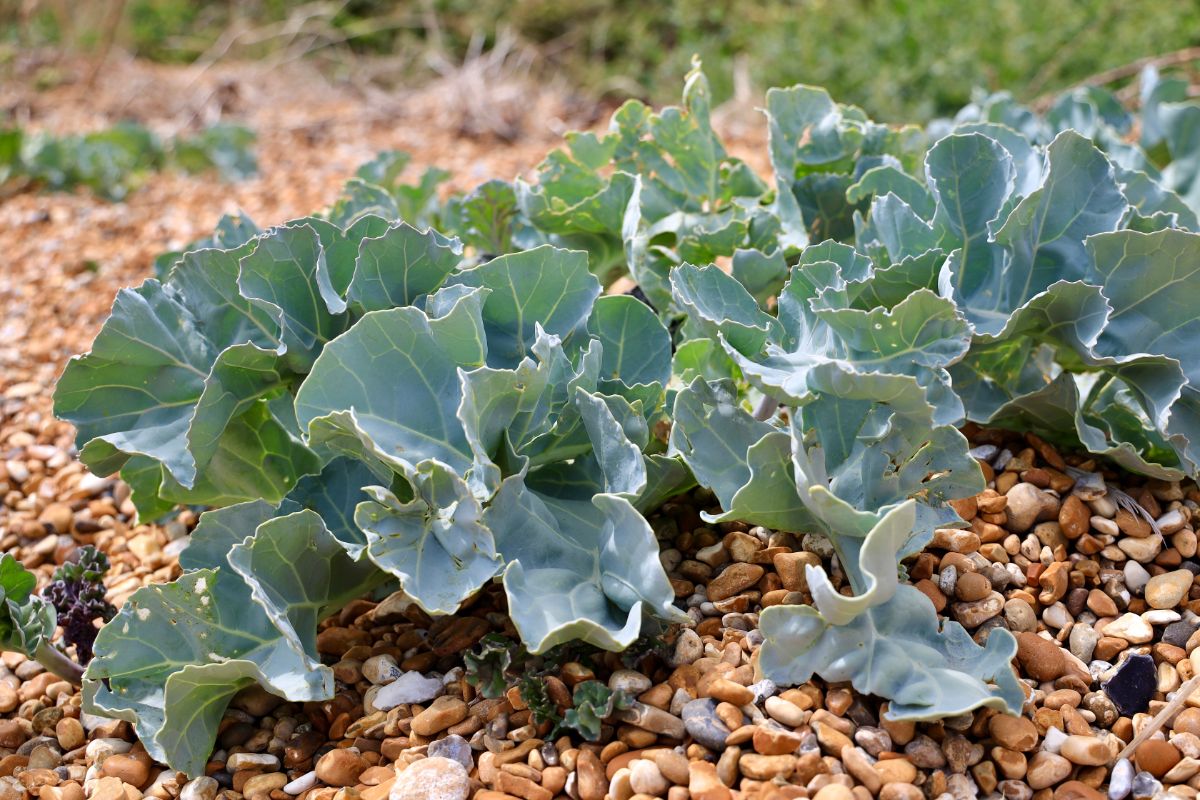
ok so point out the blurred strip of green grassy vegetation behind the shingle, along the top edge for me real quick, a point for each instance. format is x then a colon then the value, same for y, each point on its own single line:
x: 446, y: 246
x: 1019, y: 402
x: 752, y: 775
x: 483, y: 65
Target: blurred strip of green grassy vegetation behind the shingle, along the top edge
x: 899, y: 59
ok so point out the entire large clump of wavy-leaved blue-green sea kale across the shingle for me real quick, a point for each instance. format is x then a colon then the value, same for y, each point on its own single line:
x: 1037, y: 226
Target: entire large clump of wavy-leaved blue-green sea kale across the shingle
x: 449, y: 394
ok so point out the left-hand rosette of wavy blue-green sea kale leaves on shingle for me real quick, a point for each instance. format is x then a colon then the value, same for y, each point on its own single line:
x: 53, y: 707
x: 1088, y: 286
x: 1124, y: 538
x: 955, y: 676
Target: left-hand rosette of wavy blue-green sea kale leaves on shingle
x: 369, y: 406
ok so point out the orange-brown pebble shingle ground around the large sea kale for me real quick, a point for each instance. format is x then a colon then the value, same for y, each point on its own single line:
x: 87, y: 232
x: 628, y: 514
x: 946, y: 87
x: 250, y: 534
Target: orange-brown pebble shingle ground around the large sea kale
x: 1094, y: 572
